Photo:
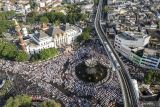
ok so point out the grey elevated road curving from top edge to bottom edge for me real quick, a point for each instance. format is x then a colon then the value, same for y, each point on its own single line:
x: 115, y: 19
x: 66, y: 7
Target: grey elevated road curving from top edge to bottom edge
x: 129, y: 96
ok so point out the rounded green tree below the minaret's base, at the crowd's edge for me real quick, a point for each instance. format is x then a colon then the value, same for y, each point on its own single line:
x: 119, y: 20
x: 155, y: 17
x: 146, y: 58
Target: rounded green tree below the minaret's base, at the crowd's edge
x: 22, y: 56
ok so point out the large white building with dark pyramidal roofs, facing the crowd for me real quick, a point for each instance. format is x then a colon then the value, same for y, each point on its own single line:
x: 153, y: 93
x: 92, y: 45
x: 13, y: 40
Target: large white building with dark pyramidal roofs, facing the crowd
x: 51, y: 37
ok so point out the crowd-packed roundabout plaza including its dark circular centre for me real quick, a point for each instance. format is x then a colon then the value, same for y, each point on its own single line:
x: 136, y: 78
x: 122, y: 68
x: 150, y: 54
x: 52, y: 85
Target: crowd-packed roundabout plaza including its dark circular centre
x: 82, y: 78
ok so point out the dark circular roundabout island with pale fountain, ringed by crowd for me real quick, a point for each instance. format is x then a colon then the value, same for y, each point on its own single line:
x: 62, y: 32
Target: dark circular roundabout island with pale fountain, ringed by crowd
x: 91, y: 71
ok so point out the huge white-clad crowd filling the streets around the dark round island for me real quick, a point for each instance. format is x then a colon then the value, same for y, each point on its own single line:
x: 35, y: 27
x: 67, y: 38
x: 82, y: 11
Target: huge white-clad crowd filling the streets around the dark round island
x: 57, y: 77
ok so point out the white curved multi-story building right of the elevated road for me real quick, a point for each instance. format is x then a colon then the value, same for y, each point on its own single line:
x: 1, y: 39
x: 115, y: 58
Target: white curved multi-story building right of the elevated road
x: 132, y: 45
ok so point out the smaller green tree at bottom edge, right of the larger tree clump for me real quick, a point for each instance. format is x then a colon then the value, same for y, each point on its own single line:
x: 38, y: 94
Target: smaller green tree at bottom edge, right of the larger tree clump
x: 51, y: 103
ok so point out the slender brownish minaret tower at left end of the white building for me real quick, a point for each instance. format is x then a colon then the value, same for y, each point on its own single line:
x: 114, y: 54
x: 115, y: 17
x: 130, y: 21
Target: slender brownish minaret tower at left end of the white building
x: 20, y: 36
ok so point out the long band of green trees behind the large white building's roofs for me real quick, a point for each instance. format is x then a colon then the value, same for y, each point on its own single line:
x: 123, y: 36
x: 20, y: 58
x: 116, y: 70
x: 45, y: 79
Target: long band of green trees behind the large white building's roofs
x: 74, y: 15
